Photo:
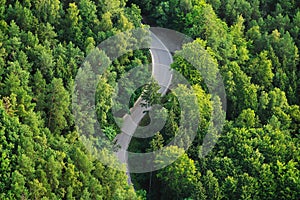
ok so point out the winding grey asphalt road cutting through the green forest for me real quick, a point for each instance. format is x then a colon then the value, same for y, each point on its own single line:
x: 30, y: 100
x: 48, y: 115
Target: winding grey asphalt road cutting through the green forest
x: 162, y: 73
